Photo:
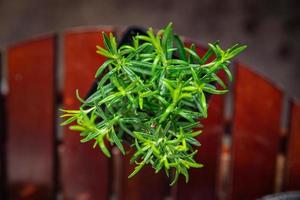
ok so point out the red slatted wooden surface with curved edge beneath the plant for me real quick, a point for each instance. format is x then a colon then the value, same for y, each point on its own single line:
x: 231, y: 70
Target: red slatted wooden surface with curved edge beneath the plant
x: 39, y: 160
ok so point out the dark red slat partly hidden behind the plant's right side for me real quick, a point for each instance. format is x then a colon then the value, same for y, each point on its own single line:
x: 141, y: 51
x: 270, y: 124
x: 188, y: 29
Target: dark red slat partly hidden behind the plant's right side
x: 203, y: 182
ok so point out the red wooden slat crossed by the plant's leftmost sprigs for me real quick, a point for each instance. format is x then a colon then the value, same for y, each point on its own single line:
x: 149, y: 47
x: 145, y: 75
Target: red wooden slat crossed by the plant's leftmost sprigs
x: 85, y: 171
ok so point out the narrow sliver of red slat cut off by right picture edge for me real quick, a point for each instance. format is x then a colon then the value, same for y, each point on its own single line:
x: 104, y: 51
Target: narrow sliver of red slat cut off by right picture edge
x: 293, y: 161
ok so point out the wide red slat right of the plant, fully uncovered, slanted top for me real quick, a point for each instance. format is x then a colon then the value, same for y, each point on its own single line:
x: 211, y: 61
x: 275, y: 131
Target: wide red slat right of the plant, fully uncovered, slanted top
x: 256, y: 125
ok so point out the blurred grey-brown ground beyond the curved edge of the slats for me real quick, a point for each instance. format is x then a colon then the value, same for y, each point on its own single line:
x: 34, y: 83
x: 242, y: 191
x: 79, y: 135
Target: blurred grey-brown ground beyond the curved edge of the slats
x: 270, y: 28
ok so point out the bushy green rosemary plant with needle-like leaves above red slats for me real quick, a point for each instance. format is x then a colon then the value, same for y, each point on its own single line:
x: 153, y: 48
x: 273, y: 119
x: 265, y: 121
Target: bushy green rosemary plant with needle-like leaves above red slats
x: 151, y: 95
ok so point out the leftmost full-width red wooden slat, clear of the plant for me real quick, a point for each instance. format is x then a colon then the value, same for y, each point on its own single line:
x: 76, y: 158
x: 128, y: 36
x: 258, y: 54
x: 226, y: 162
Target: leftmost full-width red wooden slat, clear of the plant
x: 30, y: 111
